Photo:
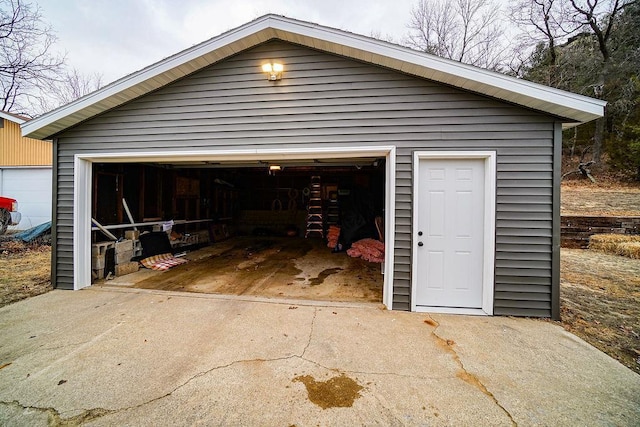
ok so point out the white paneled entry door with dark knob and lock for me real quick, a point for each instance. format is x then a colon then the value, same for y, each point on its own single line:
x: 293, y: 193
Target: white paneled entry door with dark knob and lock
x: 449, y: 234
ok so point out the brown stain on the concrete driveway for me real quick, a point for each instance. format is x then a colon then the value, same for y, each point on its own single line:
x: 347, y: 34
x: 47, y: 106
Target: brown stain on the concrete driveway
x: 336, y: 392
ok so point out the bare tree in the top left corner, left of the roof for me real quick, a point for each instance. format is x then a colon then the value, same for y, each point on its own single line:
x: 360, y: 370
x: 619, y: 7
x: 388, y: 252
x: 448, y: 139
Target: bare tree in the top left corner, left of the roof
x: 27, y: 63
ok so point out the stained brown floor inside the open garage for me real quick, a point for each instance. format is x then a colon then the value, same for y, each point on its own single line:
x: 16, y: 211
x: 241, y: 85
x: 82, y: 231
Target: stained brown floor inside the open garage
x: 268, y: 267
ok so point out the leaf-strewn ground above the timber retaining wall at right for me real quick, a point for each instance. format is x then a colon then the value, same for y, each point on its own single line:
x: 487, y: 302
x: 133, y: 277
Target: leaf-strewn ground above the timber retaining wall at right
x: 612, y: 200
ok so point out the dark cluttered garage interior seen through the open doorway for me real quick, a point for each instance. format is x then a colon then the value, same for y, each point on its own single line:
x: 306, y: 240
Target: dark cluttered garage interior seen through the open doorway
x: 275, y: 229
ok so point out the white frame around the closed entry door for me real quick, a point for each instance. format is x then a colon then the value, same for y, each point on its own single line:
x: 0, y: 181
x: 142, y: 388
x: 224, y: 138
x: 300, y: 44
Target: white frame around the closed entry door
x: 488, y: 274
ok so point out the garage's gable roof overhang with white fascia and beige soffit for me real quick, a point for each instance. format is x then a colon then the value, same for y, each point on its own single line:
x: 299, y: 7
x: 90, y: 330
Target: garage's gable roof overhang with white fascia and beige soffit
x: 570, y: 107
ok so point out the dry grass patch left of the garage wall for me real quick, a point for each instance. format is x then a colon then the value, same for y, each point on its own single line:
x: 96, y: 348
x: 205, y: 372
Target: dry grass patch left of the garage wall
x: 25, y: 271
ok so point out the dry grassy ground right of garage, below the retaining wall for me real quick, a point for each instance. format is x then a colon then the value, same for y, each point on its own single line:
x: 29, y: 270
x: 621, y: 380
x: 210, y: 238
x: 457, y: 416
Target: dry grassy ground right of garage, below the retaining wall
x: 600, y: 302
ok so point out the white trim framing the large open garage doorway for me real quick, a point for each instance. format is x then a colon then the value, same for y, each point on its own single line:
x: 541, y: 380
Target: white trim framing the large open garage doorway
x: 83, y: 179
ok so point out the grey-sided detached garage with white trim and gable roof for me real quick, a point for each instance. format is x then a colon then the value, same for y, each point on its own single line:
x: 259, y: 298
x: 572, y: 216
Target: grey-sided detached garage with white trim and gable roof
x: 456, y: 169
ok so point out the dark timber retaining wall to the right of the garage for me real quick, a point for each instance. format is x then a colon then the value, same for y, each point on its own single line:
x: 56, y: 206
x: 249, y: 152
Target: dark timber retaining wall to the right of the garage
x: 576, y: 230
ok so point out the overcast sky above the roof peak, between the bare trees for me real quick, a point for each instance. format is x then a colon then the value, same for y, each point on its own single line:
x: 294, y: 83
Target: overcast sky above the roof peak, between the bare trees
x: 117, y: 37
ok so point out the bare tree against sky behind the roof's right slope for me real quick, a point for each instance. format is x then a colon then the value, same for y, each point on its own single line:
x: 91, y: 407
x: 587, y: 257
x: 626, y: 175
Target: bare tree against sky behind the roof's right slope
x: 468, y: 31
